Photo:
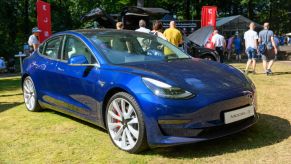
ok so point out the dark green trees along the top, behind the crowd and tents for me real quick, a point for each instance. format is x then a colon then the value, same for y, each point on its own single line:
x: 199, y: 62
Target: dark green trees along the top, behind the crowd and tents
x: 17, y: 17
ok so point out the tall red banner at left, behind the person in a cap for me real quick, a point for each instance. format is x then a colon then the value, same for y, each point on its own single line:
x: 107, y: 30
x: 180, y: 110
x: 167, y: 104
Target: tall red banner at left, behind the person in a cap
x: 43, y: 19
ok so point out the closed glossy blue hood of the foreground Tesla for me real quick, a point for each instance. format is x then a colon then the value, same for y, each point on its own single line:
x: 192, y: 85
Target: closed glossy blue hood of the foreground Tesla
x: 191, y: 74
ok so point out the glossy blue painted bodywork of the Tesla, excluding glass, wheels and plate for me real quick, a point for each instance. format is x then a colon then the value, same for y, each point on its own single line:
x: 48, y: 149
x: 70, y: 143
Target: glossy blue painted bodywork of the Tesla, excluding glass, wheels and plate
x: 82, y: 95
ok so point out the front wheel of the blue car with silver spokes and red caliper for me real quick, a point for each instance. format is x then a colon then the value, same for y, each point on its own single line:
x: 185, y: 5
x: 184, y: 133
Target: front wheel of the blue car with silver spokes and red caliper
x: 125, y: 124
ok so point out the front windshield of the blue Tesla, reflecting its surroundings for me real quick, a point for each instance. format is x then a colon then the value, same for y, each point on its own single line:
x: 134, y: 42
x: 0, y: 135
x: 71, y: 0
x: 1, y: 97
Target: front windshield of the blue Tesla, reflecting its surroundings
x: 124, y: 47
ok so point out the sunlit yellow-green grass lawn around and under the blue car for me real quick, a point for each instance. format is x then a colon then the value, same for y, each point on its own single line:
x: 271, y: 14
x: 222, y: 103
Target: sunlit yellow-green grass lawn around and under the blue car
x: 51, y: 137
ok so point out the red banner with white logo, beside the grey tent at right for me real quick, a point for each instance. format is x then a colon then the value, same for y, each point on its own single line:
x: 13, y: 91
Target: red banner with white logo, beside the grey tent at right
x: 208, y: 16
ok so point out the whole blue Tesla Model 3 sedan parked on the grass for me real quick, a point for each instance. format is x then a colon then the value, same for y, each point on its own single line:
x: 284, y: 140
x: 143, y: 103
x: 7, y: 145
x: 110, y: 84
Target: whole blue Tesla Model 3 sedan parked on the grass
x: 142, y: 89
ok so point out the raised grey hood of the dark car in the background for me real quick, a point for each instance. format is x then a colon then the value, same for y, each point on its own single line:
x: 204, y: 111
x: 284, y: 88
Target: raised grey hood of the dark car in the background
x: 201, y: 35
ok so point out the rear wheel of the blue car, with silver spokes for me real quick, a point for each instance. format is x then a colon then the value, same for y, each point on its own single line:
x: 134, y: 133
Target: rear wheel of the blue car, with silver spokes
x: 30, y: 95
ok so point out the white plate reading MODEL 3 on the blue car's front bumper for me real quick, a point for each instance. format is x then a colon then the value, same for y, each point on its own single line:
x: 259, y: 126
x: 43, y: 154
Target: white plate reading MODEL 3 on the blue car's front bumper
x: 239, y: 114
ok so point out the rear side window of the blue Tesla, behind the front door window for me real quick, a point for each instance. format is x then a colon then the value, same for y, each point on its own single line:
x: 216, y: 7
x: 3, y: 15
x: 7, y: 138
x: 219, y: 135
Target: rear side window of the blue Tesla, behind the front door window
x: 52, y: 48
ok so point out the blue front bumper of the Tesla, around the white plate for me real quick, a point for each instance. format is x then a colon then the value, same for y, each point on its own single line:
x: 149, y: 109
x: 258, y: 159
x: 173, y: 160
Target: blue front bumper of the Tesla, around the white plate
x: 175, y: 122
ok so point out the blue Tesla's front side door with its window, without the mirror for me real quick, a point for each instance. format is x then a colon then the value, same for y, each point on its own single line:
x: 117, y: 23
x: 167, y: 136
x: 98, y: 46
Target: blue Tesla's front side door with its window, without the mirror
x: 79, y: 83
